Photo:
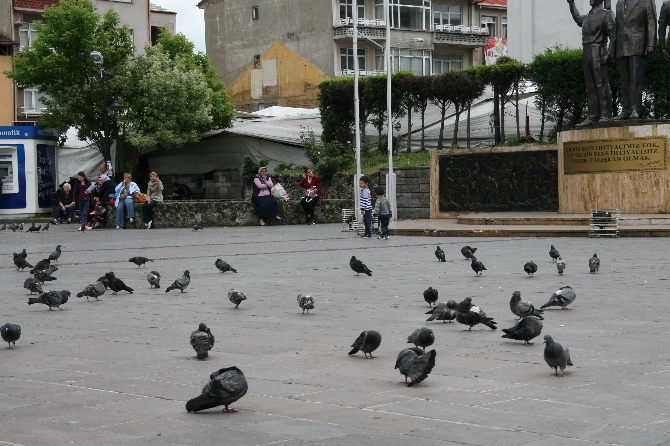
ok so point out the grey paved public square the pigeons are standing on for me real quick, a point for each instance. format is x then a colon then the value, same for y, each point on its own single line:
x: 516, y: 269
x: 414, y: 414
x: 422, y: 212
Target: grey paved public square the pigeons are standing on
x: 119, y: 371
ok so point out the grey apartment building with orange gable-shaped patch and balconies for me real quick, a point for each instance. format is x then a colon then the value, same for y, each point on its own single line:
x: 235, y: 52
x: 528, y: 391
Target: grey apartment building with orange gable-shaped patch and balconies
x: 272, y: 52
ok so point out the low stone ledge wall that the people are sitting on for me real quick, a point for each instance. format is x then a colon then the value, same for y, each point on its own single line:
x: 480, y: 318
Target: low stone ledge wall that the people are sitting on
x: 182, y: 214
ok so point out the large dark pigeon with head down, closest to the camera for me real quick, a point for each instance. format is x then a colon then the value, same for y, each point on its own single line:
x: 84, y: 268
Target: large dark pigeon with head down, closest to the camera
x: 226, y: 386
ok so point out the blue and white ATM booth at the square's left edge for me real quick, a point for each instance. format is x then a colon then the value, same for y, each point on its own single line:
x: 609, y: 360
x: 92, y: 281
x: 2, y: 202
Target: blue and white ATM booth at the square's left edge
x: 28, y: 169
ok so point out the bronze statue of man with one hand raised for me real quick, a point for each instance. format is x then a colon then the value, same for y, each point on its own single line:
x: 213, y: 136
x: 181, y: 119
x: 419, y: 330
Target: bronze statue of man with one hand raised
x: 597, y: 27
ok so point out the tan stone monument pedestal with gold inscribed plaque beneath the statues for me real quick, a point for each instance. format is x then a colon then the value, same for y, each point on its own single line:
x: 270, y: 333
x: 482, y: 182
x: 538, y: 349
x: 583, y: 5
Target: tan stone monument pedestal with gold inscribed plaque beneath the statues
x: 624, y: 167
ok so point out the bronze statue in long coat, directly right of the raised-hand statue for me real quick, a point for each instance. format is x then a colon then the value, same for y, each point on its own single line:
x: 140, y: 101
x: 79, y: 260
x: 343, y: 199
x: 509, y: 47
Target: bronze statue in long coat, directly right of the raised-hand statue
x: 635, y: 27
